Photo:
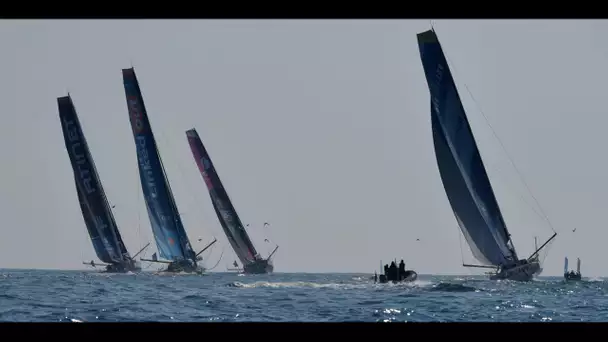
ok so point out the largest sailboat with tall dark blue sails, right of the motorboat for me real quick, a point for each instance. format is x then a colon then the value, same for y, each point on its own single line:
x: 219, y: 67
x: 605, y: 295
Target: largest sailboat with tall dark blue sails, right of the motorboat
x: 464, y: 176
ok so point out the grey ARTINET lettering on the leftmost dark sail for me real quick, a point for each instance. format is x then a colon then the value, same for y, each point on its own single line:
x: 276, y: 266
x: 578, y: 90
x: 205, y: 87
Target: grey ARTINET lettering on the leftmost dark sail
x: 75, y: 145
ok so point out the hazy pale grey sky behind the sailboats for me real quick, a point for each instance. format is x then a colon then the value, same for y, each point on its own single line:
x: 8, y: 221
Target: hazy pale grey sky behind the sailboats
x: 319, y: 127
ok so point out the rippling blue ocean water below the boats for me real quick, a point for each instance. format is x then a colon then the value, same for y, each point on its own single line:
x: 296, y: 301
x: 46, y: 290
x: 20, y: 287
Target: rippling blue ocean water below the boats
x: 87, y: 296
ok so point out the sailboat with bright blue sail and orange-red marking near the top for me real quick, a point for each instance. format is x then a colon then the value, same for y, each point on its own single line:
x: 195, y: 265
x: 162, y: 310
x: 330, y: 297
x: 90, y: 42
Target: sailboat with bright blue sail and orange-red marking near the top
x: 171, y: 239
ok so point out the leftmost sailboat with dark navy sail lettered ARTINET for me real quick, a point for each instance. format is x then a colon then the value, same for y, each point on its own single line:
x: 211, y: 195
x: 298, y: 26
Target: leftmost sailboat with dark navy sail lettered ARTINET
x: 96, y: 211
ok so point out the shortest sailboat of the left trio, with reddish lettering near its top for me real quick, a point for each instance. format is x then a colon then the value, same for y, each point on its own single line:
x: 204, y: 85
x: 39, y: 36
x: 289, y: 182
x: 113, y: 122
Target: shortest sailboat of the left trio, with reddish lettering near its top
x: 252, y: 262
